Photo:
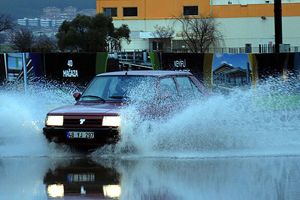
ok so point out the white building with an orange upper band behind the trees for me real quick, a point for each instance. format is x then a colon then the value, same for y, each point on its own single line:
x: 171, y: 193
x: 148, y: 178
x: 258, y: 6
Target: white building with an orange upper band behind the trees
x: 247, y: 25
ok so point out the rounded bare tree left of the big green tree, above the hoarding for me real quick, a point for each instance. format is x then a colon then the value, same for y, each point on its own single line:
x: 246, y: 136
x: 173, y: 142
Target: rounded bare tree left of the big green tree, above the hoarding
x: 22, y: 40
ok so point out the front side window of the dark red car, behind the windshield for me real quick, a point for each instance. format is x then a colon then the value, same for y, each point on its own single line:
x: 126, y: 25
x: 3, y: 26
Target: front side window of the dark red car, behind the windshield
x: 168, y: 90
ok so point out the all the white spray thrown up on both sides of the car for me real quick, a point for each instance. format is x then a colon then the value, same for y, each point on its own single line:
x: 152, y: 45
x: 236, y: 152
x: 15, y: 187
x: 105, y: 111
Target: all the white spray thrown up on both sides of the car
x: 256, y: 121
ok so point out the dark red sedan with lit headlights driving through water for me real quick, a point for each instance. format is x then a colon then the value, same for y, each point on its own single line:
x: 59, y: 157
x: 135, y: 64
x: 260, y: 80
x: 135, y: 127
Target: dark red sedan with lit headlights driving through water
x: 94, y: 120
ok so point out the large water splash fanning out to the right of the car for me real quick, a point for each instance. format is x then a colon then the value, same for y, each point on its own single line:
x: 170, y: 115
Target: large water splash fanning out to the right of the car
x: 247, y: 122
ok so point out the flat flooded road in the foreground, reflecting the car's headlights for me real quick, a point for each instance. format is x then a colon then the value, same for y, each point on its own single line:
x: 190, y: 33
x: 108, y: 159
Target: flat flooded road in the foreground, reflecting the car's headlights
x: 150, y: 178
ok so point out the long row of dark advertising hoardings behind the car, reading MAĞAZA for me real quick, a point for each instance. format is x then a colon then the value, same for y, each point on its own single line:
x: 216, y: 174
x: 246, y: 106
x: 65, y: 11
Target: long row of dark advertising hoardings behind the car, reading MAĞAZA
x: 219, y: 71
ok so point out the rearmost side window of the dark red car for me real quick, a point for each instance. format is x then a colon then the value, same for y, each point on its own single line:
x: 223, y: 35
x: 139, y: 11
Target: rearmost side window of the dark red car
x: 188, y: 89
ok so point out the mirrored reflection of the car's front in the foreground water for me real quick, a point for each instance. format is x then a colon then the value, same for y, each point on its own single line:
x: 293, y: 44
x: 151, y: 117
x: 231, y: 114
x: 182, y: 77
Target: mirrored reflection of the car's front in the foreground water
x: 72, y: 178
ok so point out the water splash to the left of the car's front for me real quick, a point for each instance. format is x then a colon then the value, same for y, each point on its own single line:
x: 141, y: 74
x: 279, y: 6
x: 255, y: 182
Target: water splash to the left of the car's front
x: 22, y: 119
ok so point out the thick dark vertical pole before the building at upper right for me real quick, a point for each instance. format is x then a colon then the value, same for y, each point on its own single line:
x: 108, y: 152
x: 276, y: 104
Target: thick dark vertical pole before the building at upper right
x: 278, y: 25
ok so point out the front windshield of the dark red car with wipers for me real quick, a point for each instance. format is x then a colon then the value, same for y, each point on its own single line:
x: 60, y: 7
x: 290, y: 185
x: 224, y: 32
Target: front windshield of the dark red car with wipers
x: 112, y: 88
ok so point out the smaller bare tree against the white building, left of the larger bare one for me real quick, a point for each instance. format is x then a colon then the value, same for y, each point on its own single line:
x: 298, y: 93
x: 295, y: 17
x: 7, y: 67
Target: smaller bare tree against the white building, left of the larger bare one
x: 163, y: 36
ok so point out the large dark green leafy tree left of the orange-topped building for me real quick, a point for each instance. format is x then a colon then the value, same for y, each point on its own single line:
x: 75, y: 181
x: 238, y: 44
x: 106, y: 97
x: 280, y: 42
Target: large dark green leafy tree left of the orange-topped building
x: 85, y: 33
